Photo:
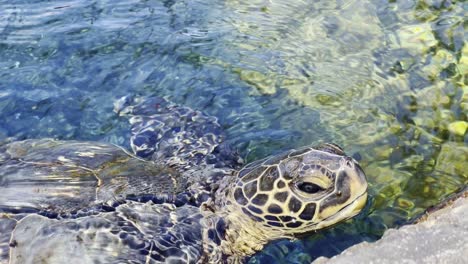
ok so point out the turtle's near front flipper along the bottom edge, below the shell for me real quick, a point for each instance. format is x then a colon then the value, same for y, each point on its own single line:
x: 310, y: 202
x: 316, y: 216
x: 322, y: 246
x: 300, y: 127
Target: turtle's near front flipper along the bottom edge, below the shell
x: 134, y: 233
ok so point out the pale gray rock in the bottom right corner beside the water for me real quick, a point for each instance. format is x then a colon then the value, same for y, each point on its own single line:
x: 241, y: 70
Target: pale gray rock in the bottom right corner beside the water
x: 441, y: 238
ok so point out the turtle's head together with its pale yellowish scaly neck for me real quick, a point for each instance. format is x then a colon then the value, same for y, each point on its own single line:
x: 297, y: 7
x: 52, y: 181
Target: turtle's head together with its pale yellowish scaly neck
x: 291, y: 193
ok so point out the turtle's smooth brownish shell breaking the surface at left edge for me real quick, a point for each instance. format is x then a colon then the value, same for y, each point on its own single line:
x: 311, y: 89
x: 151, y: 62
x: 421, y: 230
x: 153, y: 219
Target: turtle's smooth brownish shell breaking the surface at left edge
x: 61, y: 176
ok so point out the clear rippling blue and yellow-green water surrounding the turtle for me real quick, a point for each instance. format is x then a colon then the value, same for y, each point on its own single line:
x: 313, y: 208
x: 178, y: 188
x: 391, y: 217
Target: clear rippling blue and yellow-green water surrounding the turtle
x: 386, y: 80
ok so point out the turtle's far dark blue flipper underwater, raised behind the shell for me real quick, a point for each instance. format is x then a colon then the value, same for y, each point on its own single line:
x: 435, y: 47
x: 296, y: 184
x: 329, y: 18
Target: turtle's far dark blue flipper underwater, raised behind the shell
x: 179, y: 136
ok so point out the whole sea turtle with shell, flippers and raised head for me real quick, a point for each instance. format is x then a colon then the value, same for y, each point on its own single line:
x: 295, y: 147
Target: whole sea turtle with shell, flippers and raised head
x: 181, y: 196
